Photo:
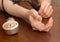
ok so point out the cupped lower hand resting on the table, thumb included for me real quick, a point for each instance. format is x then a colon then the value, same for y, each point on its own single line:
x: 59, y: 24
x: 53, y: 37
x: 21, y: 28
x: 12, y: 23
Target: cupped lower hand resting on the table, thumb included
x: 36, y: 22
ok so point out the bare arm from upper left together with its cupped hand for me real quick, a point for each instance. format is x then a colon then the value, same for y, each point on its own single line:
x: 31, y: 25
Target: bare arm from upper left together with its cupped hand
x: 31, y: 15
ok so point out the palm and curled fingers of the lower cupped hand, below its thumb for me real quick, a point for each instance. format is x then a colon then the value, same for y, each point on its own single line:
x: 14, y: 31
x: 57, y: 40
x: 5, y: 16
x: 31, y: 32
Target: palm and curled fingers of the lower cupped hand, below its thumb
x: 38, y: 25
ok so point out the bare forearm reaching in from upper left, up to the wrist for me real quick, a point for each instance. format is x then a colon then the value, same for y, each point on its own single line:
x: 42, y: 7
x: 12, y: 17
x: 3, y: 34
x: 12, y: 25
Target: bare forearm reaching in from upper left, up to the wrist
x: 15, y: 10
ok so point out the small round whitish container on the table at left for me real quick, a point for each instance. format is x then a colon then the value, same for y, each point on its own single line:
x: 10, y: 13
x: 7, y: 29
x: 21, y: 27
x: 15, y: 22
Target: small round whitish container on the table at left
x: 11, y: 26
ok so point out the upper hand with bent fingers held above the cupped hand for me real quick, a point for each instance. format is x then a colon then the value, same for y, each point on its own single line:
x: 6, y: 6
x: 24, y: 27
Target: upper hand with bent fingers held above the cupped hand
x: 45, y: 9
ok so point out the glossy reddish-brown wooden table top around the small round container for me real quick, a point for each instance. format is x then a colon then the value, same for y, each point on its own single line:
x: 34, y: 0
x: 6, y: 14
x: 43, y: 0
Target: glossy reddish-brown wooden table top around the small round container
x: 26, y: 34
